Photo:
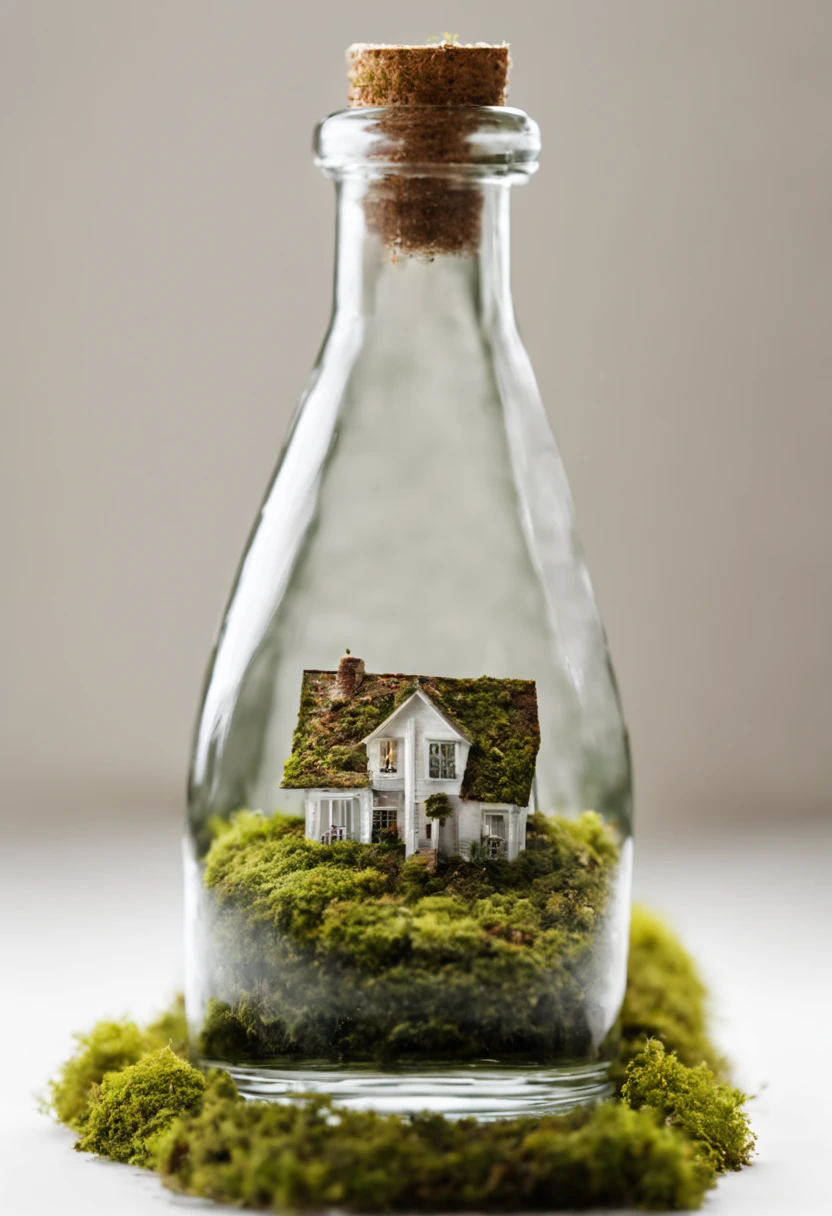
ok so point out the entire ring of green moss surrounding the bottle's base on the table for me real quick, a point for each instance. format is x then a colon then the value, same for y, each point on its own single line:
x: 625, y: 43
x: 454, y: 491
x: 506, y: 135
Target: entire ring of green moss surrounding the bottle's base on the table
x: 660, y: 1147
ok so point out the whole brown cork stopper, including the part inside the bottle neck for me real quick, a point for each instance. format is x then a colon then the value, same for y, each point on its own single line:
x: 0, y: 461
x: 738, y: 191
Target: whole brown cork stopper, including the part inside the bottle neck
x: 428, y: 93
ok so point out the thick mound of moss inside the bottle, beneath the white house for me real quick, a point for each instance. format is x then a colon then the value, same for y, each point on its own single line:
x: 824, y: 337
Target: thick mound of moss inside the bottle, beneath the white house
x: 352, y: 953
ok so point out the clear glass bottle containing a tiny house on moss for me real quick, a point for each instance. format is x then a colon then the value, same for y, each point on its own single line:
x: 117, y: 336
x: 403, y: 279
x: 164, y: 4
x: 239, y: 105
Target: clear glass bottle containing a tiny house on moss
x: 420, y: 515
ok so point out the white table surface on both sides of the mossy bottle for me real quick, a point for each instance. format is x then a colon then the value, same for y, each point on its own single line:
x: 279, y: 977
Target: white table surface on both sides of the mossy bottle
x: 91, y: 928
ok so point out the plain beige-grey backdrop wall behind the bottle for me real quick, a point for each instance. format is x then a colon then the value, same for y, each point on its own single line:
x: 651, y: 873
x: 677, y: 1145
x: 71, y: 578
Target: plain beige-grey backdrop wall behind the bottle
x: 166, y: 249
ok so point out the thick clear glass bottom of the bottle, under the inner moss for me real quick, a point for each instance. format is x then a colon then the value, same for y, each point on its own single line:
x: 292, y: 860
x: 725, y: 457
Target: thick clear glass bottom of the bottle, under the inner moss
x: 481, y: 1091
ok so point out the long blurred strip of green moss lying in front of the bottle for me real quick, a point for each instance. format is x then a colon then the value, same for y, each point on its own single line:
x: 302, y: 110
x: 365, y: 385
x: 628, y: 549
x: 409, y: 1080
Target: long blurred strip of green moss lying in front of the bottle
x: 312, y: 1156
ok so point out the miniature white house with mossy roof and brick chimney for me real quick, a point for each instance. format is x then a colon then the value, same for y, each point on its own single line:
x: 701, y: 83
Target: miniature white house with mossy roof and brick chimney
x: 370, y: 751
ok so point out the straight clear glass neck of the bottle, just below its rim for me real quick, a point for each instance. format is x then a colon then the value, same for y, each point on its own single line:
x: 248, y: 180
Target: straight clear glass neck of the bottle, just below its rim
x: 372, y: 273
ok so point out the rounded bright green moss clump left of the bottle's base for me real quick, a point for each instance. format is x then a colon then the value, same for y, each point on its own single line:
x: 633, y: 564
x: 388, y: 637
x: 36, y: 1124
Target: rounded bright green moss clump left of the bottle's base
x: 131, y: 1108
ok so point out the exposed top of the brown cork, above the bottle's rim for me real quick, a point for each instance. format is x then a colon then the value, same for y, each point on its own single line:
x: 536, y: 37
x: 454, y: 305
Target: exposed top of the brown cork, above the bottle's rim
x: 445, y: 75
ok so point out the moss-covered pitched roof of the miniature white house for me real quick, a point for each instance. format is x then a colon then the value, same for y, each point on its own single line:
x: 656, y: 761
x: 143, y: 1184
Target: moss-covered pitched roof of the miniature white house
x: 499, y: 717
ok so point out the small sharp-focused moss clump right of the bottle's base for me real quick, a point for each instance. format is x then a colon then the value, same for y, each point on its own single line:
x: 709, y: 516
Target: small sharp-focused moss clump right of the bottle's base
x: 693, y: 1100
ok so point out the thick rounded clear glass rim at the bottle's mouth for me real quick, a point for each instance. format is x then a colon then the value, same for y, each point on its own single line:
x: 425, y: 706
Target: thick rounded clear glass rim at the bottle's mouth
x: 480, y: 142
